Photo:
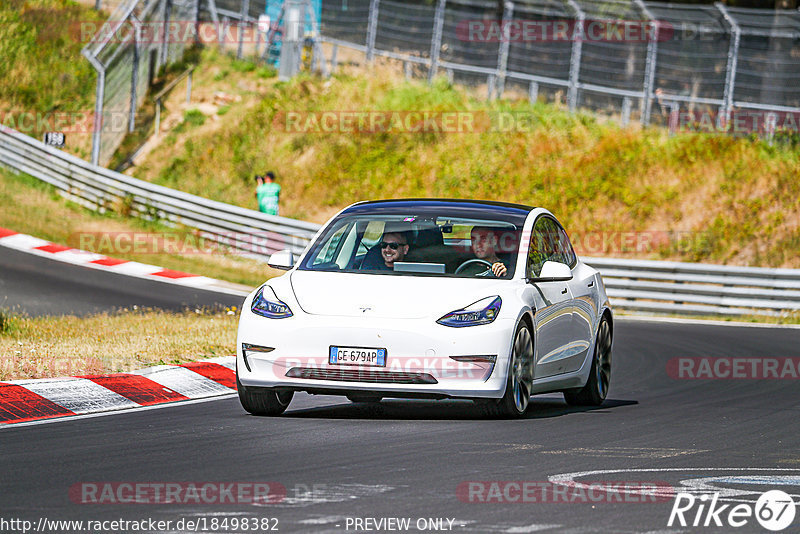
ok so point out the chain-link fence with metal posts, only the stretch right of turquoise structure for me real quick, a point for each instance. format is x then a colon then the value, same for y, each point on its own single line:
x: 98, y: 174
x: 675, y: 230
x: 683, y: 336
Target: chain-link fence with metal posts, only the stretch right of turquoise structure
x: 641, y: 60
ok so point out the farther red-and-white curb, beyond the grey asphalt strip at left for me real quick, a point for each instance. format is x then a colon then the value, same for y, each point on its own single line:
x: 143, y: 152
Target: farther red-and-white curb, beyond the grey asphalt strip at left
x: 40, y: 247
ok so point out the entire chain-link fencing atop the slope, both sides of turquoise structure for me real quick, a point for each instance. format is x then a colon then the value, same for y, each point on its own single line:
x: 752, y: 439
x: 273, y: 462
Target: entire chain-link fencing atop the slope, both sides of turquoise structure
x: 635, y: 59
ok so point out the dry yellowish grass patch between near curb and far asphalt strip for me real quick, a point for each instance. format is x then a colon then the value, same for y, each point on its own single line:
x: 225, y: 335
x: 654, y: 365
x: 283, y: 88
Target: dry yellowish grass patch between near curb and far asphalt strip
x: 44, y: 347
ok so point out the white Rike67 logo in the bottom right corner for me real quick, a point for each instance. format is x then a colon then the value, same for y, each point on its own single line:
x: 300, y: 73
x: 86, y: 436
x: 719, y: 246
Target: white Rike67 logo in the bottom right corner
x: 774, y: 510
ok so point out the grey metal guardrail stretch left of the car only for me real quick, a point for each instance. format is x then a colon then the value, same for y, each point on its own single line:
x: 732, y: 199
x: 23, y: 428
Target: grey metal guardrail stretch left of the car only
x: 247, y: 232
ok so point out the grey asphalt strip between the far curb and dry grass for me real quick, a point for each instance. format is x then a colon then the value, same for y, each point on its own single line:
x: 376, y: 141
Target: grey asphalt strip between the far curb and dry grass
x: 41, y: 286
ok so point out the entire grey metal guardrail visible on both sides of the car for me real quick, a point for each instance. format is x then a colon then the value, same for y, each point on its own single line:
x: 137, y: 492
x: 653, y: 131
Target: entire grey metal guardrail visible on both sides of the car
x: 652, y: 286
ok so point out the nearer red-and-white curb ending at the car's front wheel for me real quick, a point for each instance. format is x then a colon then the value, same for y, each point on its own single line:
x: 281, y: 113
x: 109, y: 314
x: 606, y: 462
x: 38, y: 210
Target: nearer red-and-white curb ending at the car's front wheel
x: 46, y: 398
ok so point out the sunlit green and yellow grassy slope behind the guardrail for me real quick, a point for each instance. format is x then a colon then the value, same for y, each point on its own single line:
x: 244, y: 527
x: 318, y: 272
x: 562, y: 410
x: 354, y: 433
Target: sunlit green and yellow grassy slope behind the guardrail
x: 721, y: 199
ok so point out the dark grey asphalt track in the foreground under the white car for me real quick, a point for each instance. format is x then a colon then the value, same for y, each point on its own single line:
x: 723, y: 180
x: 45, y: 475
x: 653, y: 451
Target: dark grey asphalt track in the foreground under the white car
x: 407, y: 459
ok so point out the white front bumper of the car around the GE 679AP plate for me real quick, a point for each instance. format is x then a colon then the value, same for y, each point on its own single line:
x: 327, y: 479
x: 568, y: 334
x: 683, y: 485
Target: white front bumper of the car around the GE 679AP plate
x: 418, y: 355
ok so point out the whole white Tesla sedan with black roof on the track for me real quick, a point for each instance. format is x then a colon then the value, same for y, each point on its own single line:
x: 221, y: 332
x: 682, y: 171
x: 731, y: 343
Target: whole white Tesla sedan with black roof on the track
x: 429, y: 299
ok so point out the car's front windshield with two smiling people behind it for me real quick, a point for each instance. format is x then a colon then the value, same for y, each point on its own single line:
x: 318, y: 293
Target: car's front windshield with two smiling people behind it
x: 422, y: 242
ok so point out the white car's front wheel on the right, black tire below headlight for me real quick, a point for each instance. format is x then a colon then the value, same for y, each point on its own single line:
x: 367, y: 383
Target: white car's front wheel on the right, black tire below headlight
x: 516, y: 399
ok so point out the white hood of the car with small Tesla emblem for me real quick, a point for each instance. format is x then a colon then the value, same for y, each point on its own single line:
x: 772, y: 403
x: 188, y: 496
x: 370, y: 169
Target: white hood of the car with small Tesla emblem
x: 387, y: 296
